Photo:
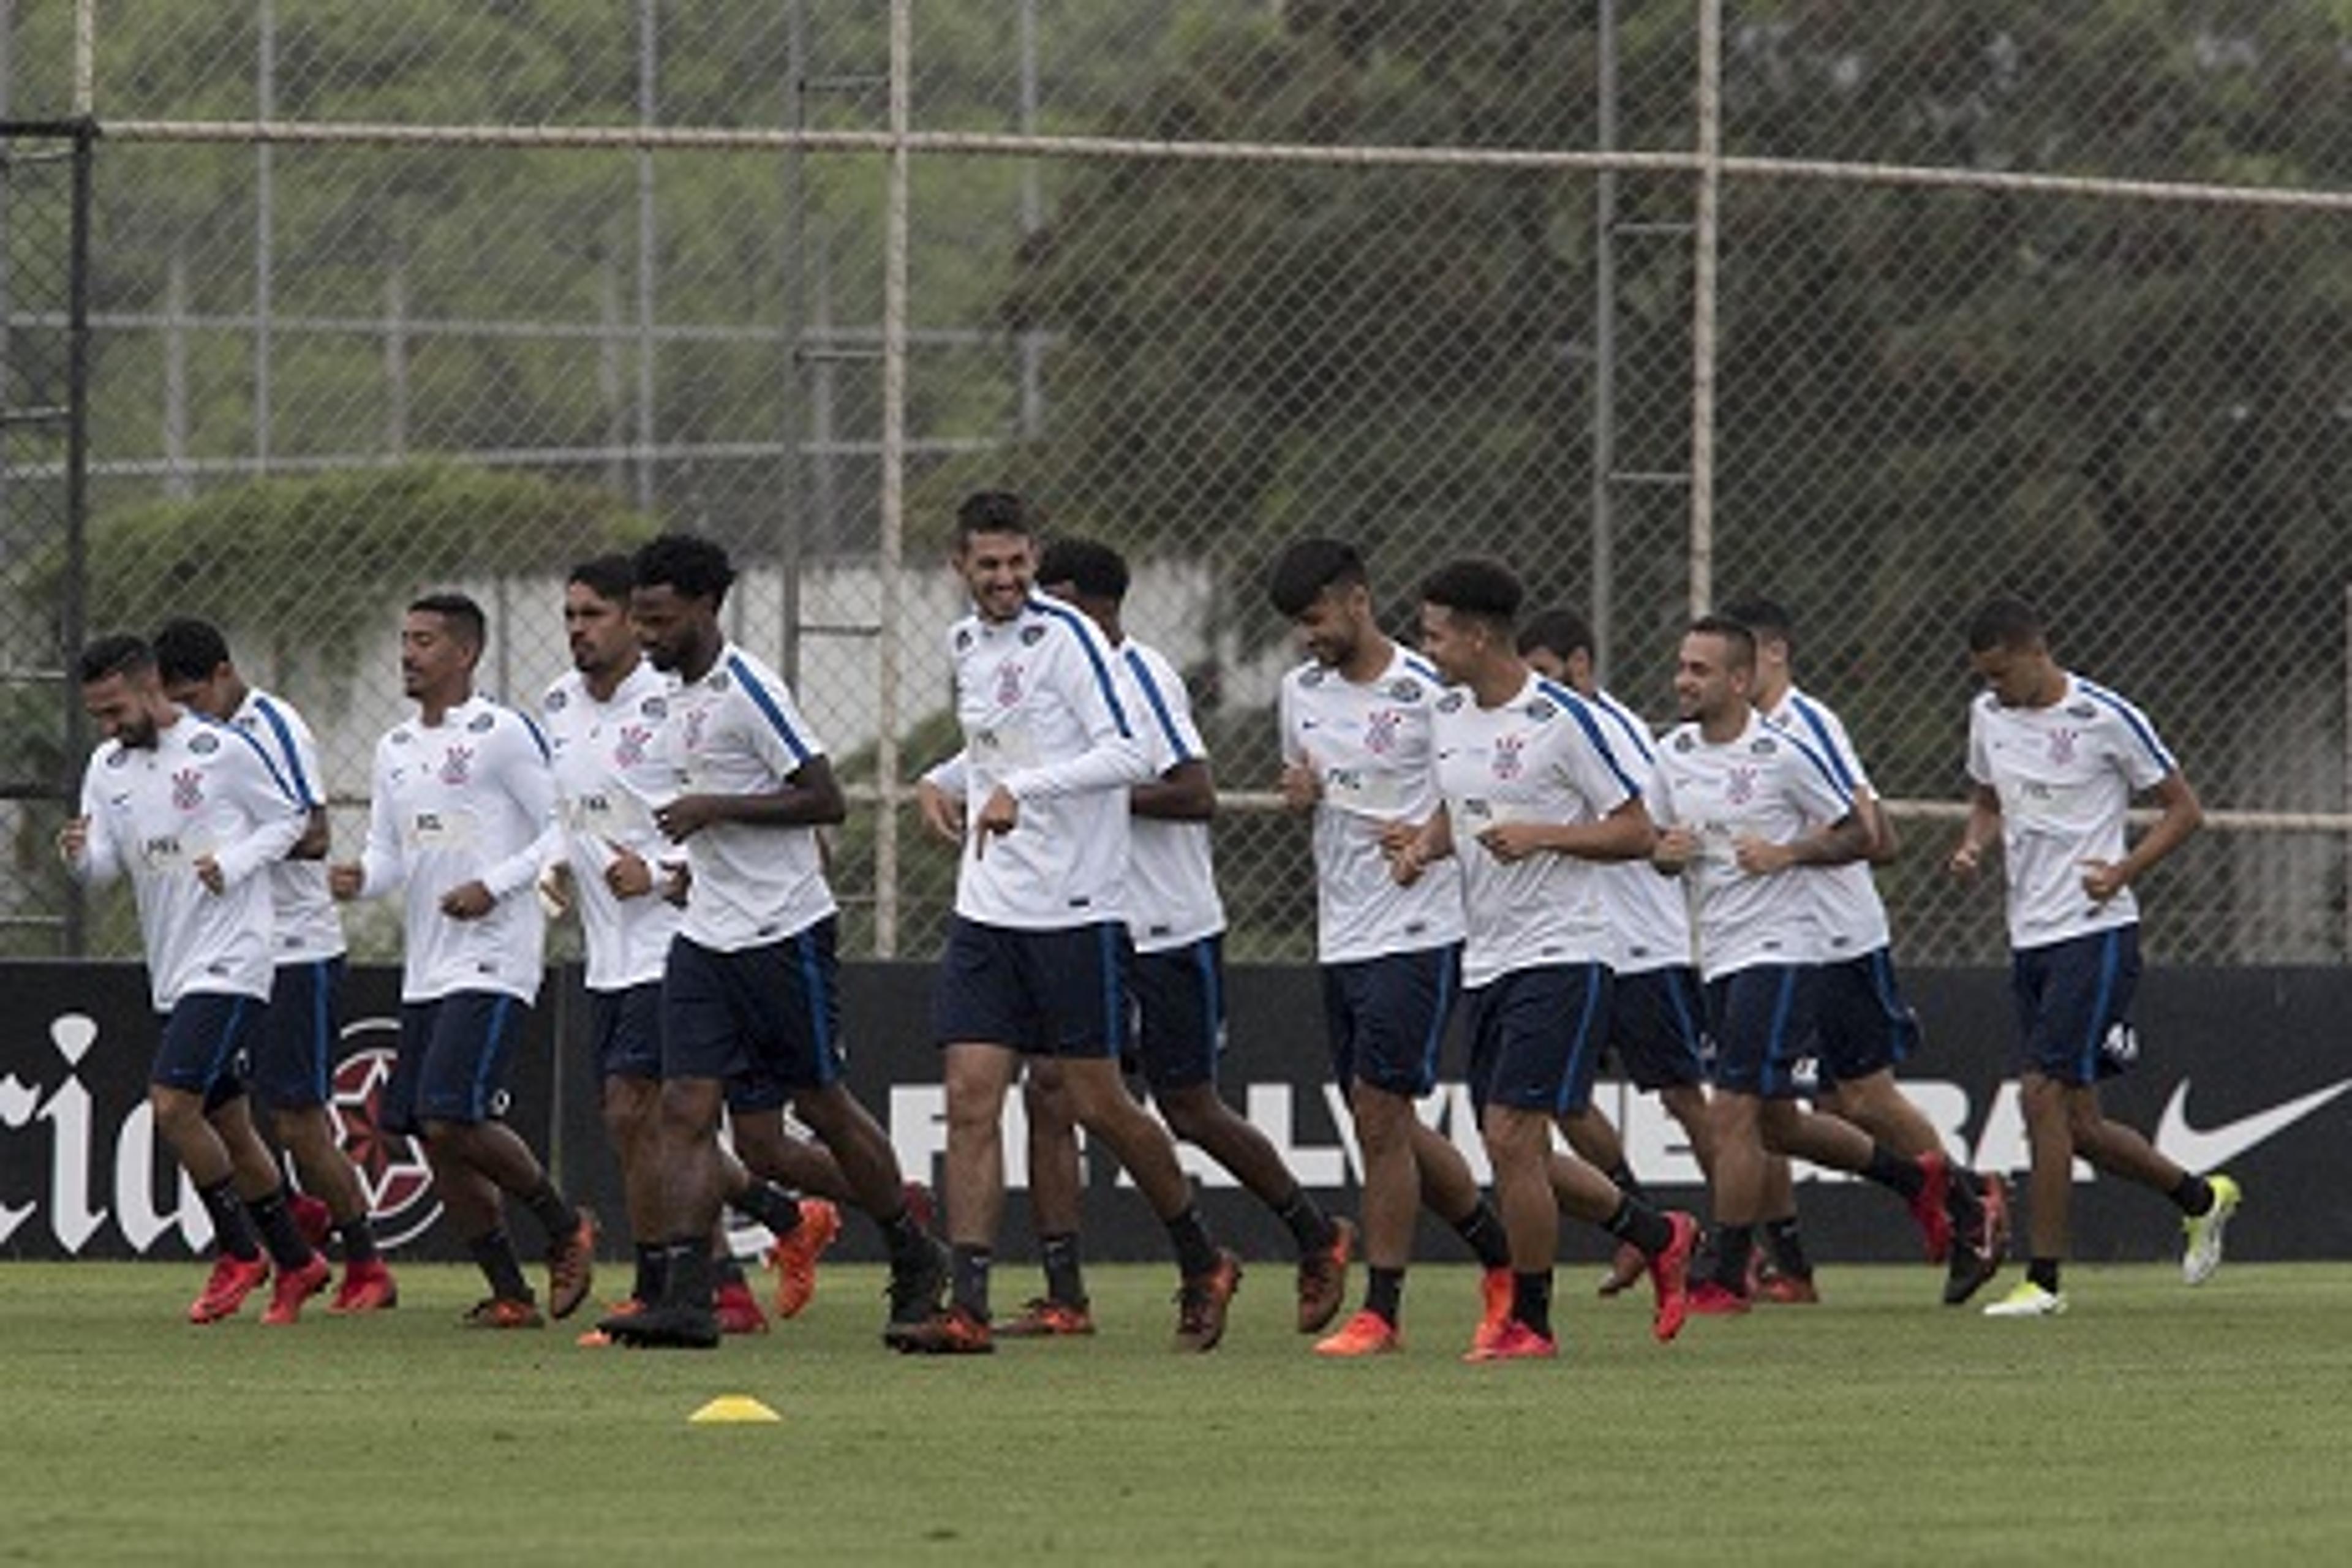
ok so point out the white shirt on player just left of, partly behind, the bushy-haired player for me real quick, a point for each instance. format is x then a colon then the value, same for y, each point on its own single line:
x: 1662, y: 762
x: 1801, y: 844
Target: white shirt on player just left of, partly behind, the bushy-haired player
x: 610, y: 775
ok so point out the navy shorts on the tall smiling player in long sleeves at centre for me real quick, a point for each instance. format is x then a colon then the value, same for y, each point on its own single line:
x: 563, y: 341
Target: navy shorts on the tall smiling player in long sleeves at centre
x: 1045, y: 993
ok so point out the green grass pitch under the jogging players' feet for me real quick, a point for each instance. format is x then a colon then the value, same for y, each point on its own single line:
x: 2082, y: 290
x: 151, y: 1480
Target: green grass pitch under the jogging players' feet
x: 2151, y: 1426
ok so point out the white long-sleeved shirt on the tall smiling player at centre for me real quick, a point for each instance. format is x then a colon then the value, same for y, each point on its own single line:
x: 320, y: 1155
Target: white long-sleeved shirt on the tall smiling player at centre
x: 1045, y: 716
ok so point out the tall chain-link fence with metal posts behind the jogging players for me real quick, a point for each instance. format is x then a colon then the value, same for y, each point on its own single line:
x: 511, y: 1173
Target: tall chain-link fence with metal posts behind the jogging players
x: 2040, y: 297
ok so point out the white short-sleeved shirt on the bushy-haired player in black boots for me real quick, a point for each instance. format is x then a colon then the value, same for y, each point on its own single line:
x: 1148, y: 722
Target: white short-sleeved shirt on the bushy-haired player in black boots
x: 737, y: 732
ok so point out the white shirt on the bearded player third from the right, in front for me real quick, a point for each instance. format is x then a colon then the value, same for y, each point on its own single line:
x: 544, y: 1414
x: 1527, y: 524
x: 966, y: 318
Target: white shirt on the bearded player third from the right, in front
x: 1763, y: 784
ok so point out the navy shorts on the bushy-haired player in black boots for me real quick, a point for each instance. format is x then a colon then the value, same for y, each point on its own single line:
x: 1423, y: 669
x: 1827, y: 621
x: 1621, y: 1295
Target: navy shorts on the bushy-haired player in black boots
x: 766, y: 1021
